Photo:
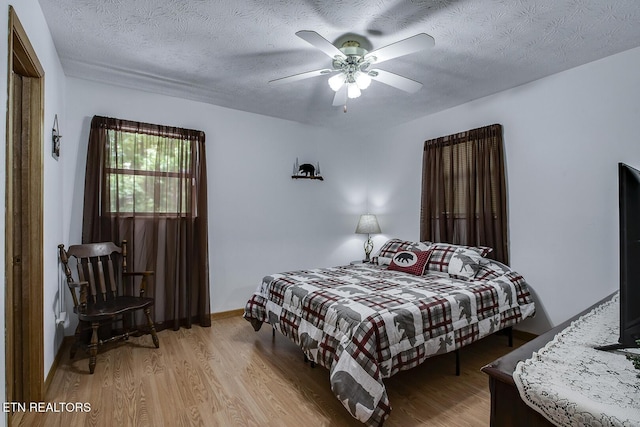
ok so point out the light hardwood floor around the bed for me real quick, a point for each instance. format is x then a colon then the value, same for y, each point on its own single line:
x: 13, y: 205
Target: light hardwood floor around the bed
x: 229, y: 375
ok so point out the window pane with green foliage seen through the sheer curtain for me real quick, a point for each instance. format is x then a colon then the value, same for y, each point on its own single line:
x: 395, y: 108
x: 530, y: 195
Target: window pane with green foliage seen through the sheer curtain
x: 148, y: 173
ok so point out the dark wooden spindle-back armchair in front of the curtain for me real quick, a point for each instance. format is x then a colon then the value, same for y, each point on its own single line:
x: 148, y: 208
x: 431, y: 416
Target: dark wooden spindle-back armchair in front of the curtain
x: 103, y: 295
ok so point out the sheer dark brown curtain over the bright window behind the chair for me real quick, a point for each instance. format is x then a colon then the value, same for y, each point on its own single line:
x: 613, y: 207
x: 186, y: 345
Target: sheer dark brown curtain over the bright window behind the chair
x: 147, y: 184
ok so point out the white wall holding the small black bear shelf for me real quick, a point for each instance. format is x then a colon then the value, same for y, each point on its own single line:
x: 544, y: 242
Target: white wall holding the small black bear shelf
x: 260, y: 220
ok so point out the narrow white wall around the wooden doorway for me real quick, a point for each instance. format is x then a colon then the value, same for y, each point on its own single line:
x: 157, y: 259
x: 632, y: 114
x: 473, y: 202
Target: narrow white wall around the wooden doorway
x: 31, y: 17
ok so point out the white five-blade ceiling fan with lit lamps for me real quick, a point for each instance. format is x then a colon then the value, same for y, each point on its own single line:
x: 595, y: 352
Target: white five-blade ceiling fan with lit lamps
x: 352, y: 65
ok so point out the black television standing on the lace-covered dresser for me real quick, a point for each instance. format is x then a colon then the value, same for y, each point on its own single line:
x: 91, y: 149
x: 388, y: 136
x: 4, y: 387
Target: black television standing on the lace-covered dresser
x: 629, y: 212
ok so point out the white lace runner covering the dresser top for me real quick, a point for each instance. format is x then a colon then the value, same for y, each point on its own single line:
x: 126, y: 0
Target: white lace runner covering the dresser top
x: 573, y: 384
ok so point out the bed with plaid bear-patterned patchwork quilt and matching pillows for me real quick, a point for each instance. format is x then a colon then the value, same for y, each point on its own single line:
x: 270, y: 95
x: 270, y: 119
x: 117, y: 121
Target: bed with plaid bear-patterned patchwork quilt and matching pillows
x: 366, y: 322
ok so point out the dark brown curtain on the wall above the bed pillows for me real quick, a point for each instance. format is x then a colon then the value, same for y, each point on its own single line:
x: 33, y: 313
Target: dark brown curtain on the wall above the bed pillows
x: 464, y: 191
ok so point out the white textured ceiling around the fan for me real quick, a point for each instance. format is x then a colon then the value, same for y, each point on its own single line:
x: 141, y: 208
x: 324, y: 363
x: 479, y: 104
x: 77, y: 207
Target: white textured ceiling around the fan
x: 225, y: 52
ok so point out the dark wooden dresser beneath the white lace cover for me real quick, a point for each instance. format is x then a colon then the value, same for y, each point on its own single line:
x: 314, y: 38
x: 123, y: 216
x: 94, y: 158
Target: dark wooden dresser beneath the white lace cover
x: 507, y: 408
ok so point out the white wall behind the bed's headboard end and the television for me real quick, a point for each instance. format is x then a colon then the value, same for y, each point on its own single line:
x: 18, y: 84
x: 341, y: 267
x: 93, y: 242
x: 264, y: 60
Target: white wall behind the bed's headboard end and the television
x: 564, y: 136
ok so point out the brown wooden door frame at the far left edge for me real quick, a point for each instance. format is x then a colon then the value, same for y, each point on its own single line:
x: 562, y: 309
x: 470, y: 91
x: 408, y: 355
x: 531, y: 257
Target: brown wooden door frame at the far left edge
x: 23, y: 60
